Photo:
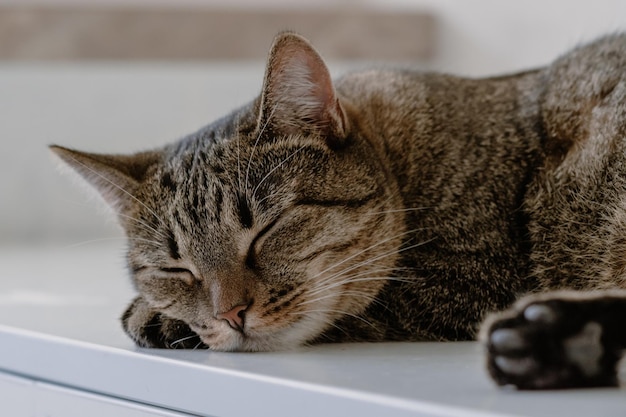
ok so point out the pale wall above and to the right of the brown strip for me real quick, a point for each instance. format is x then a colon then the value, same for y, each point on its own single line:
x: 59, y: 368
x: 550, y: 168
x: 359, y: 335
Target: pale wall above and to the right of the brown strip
x: 477, y: 36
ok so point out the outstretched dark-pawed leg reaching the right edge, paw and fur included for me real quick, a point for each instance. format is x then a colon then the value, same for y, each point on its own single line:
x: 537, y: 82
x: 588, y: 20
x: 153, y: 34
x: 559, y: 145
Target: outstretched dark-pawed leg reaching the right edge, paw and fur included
x: 558, y: 340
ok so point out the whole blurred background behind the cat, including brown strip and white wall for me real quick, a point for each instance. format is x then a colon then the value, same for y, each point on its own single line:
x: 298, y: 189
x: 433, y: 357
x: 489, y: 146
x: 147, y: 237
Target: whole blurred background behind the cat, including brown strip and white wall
x: 124, y: 75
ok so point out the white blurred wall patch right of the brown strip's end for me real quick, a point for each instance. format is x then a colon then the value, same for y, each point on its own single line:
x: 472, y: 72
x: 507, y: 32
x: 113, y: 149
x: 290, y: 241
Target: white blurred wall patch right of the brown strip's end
x: 490, y: 36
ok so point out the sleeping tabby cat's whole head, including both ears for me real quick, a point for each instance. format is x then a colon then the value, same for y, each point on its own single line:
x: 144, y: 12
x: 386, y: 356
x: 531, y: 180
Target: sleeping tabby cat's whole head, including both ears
x: 263, y: 229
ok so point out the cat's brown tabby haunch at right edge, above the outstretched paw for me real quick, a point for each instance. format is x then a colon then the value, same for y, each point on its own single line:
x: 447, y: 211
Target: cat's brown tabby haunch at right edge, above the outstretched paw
x: 576, y: 202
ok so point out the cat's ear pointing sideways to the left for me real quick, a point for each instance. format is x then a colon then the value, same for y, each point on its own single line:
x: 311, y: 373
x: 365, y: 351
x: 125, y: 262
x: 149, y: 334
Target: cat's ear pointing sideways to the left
x: 115, y: 177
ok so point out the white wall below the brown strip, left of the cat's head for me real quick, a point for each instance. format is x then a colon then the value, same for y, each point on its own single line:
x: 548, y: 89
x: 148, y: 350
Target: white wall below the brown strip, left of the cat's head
x: 102, y: 108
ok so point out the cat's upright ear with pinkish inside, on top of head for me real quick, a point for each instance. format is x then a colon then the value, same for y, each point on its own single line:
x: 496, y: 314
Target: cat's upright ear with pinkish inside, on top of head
x: 298, y: 94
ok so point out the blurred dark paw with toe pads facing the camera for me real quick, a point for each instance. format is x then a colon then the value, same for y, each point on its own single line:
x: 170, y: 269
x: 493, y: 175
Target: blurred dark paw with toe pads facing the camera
x: 550, y: 344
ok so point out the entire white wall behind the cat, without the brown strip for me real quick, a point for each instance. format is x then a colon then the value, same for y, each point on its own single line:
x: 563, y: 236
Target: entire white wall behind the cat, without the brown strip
x: 117, y: 107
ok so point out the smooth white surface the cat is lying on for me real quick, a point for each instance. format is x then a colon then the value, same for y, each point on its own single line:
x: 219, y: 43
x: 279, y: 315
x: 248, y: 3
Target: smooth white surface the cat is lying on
x: 58, y: 325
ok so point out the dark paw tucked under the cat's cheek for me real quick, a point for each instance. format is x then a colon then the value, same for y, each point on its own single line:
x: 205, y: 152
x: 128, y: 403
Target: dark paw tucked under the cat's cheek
x: 150, y: 328
